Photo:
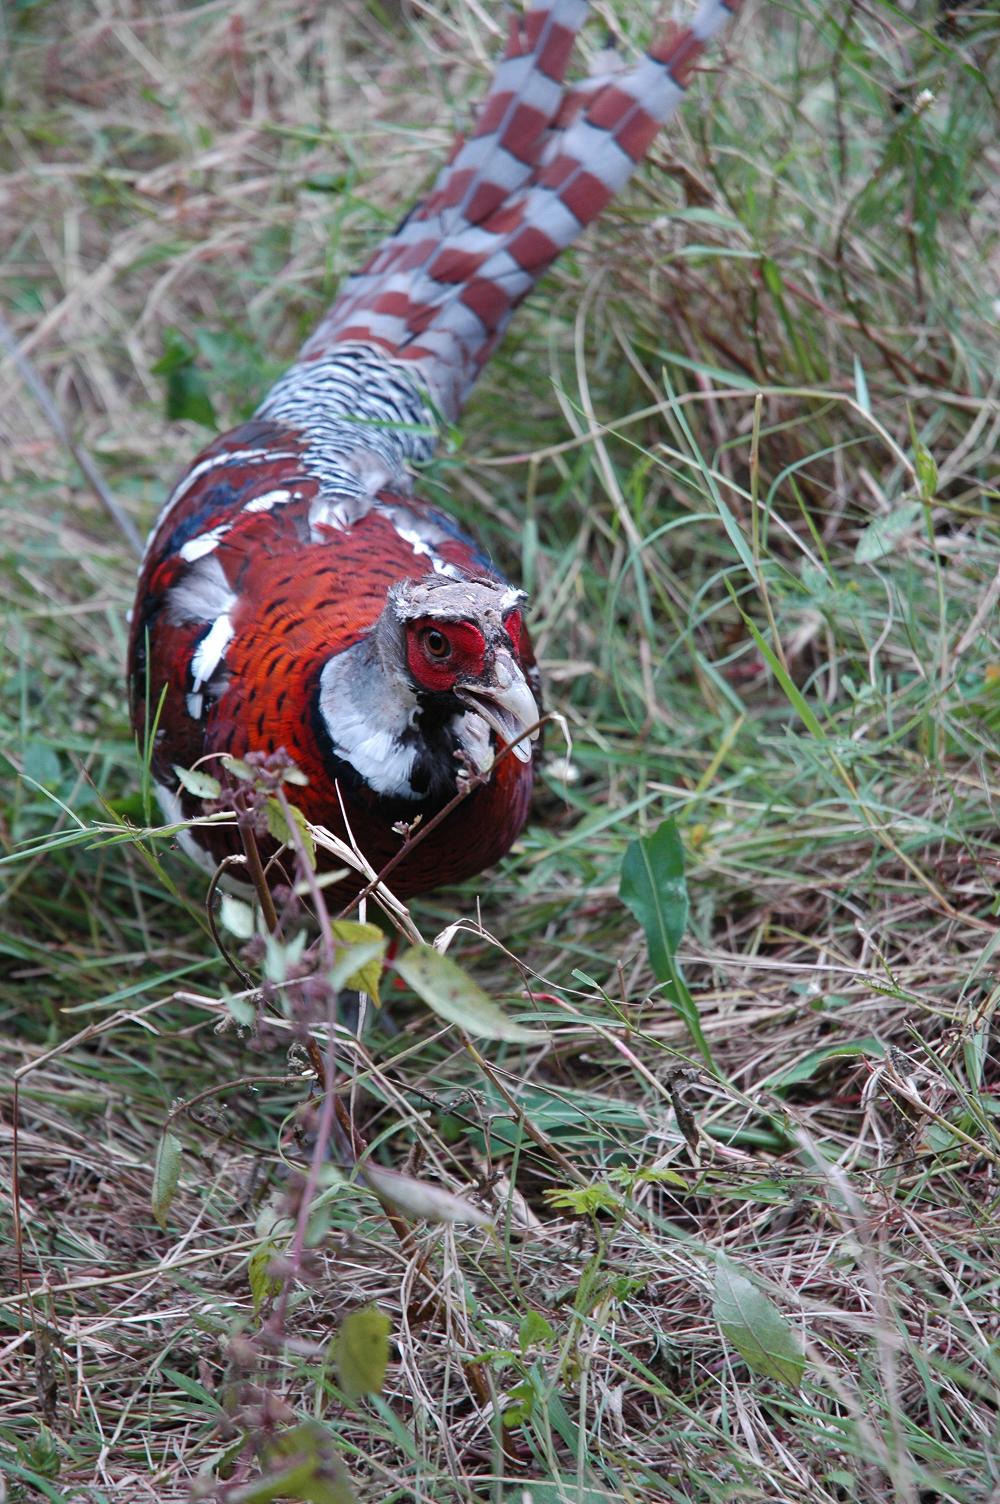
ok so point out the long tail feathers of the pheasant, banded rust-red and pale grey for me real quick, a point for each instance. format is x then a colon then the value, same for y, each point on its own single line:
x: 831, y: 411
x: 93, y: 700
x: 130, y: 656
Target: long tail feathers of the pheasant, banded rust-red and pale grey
x: 542, y: 163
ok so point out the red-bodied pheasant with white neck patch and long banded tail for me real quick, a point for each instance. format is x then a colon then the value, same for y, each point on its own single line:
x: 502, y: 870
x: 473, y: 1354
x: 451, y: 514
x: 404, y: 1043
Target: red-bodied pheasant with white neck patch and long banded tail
x: 297, y: 595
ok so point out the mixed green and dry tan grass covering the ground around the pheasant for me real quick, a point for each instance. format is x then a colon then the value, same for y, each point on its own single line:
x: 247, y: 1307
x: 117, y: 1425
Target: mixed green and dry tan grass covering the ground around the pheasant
x: 771, y: 619
